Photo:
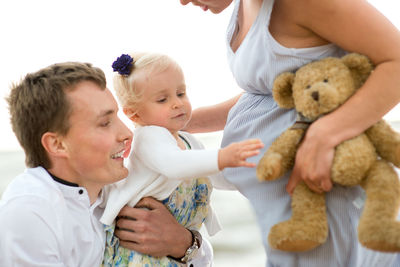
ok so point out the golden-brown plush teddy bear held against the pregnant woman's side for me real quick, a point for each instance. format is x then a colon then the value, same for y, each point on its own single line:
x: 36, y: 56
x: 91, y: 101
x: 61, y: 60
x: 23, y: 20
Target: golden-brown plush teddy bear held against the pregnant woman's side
x: 314, y: 90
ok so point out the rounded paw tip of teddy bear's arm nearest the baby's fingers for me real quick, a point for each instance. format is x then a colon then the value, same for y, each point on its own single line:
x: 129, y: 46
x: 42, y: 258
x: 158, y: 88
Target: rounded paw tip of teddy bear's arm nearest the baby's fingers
x: 269, y: 167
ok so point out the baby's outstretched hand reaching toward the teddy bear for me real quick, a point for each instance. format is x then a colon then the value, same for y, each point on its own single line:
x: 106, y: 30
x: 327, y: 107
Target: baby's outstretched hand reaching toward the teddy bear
x: 235, y: 154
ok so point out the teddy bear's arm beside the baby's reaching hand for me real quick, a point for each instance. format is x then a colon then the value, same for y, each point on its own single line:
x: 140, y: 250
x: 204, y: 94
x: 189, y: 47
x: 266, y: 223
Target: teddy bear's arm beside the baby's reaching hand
x: 279, y: 157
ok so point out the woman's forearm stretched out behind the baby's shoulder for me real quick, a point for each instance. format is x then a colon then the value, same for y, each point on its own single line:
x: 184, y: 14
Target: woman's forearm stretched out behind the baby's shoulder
x: 210, y: 118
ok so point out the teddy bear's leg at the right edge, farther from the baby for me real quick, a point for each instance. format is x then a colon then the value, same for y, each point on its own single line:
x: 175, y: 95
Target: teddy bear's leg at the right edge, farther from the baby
x: 378, y: 228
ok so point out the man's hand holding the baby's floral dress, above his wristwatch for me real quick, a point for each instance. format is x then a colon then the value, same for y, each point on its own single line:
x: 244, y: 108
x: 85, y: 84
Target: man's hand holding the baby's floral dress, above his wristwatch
x: 150, y: 228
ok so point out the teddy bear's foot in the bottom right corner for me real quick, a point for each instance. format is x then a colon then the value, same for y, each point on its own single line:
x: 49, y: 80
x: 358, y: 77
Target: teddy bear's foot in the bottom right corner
x: 383, y: 237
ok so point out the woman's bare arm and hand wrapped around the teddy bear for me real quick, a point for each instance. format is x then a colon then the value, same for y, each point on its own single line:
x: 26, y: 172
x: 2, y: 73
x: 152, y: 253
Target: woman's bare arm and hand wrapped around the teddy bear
x: 355, y: 26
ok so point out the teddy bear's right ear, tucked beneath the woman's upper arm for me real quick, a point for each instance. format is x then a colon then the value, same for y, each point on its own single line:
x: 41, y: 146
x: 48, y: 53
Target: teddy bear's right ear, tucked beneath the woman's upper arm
x: 359, y: 65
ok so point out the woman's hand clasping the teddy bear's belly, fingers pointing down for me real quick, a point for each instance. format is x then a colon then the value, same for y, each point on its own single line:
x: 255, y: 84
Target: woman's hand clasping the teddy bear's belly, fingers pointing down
x: 313, y: 161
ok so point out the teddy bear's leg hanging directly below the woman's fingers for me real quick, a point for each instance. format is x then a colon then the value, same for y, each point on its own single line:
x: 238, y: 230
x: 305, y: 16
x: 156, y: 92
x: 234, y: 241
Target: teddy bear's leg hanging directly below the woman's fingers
x: 308, y: 227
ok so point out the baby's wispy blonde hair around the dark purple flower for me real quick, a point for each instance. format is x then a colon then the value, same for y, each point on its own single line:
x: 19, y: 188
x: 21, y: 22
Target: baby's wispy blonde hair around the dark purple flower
x: 127, y: 88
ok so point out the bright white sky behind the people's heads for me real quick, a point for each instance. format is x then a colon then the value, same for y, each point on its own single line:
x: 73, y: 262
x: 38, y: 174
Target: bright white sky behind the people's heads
x: 37, y: 33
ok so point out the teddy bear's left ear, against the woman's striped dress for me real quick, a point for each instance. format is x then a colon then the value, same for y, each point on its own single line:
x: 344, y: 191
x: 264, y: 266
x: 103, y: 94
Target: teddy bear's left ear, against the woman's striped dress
x: 282, y: 90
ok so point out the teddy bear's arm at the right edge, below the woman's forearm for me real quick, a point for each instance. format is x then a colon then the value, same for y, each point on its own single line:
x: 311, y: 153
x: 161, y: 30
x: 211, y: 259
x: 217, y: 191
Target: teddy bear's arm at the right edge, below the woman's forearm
x: 386, y: 141
